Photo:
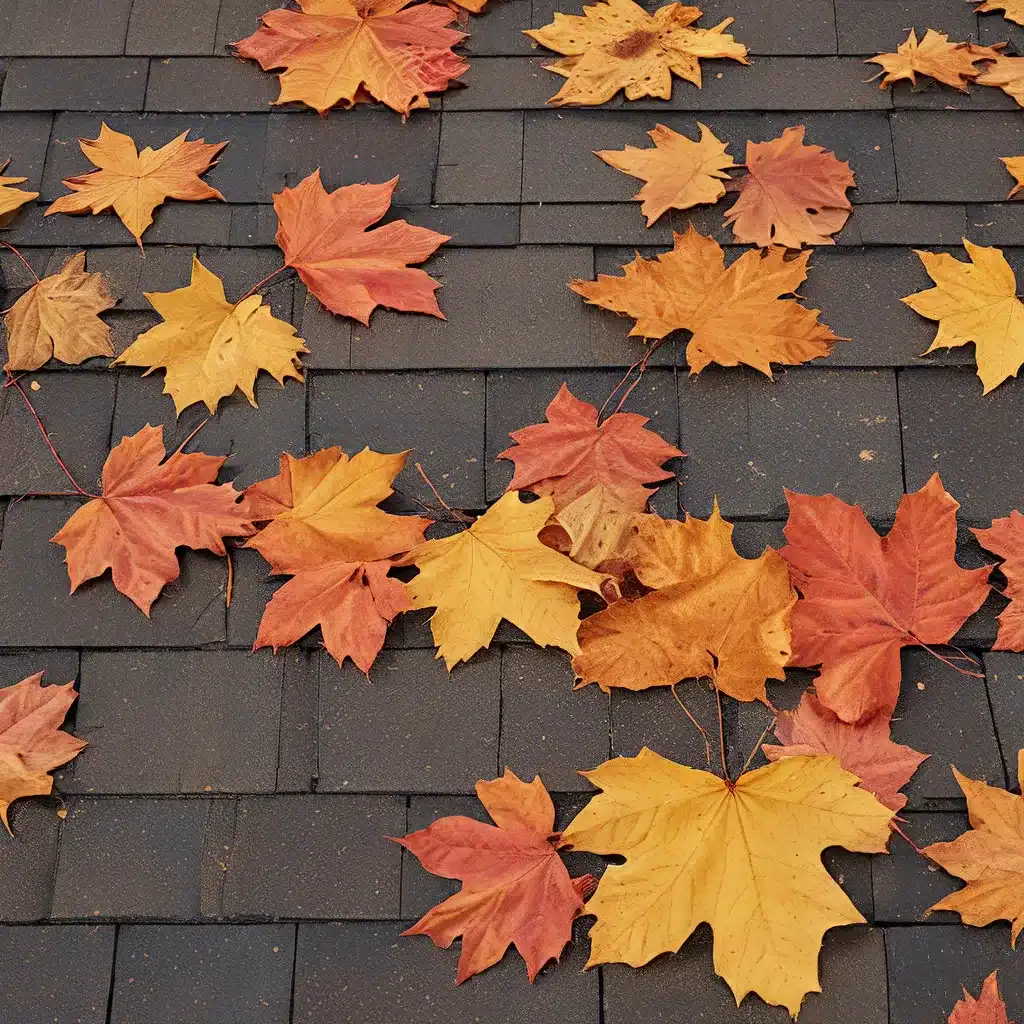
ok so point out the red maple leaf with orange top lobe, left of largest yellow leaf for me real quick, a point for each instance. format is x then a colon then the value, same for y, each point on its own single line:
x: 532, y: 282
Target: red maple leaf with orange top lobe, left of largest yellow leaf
x: 516, y: 889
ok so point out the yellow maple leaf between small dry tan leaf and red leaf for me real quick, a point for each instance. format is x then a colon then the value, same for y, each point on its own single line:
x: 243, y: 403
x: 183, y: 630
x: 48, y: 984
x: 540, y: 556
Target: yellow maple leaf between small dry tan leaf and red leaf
x: 210, y: 348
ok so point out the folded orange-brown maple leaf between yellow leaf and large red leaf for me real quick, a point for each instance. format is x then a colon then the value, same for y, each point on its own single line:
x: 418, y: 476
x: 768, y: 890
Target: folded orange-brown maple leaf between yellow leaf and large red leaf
x: 712, y: 614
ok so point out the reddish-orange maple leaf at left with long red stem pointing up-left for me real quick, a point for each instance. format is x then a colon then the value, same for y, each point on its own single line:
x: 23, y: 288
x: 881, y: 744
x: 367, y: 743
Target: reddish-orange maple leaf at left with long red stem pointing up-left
x: 152, y: 505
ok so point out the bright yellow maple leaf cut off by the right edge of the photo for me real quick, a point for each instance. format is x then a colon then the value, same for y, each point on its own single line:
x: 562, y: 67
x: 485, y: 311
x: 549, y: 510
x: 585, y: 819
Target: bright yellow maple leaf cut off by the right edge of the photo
x: 975, y: 303
